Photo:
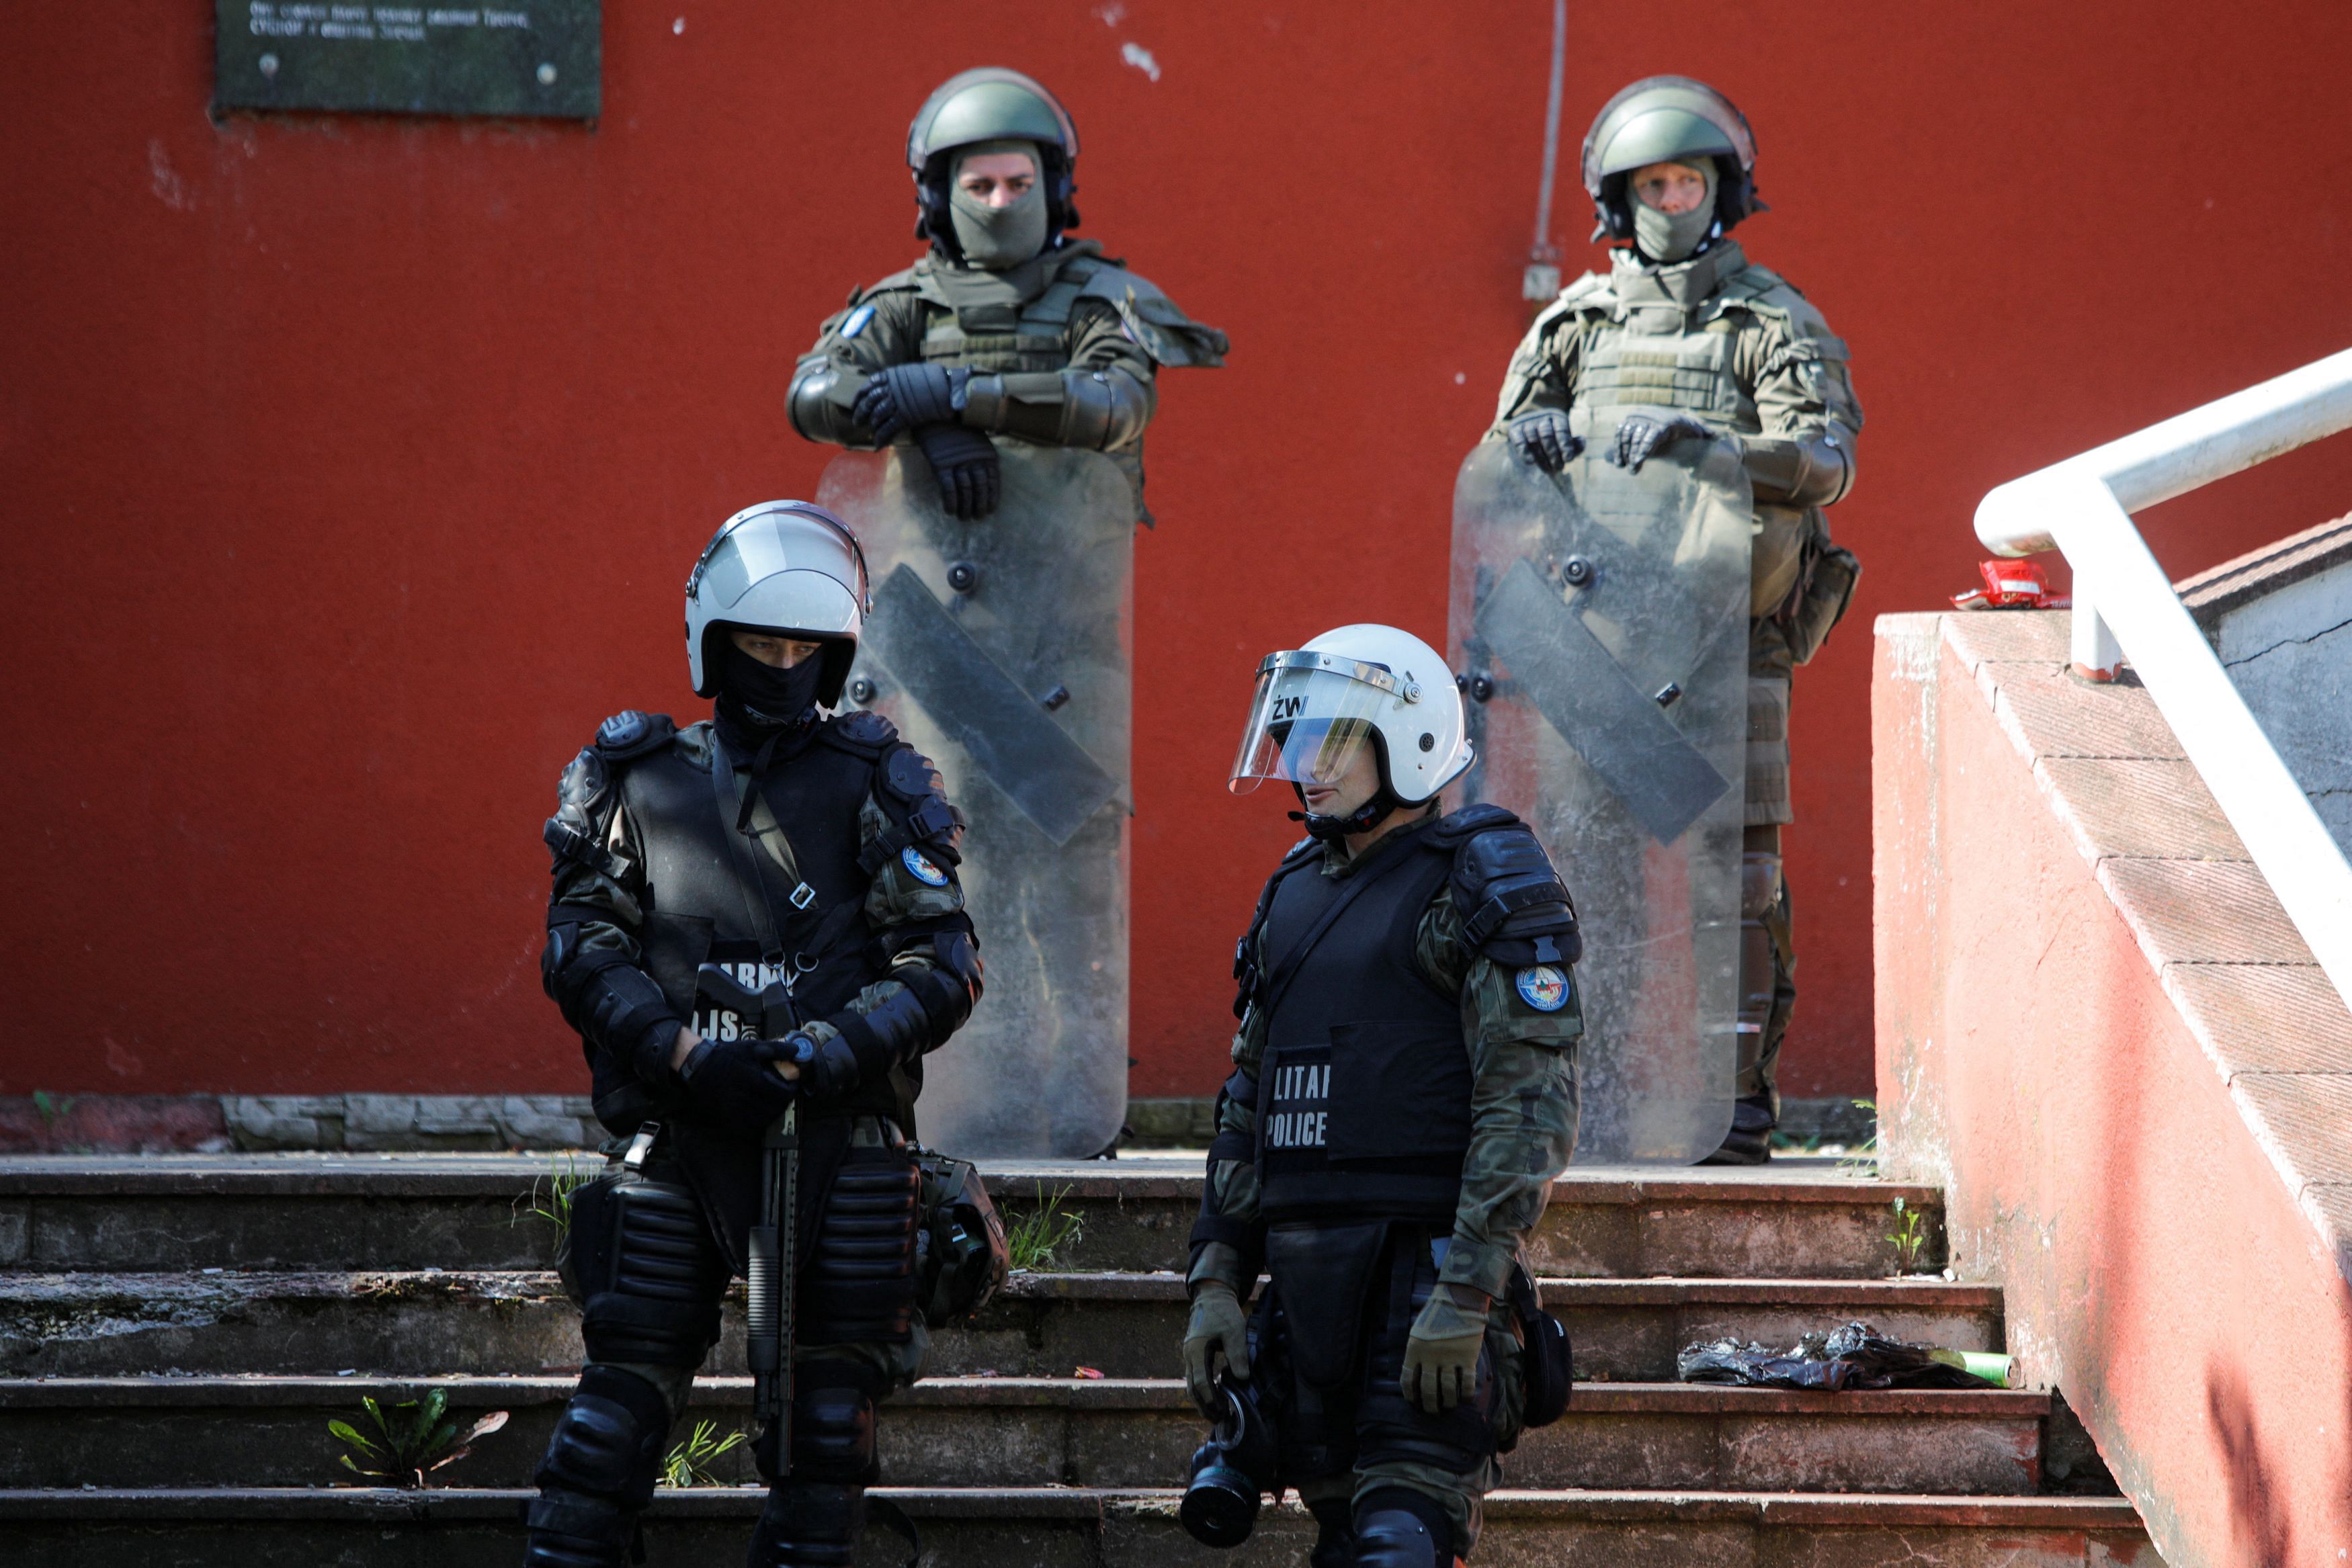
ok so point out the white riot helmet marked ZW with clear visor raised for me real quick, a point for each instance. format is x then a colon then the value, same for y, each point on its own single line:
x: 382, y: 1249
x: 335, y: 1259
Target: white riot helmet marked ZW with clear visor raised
x: 1318, y: 706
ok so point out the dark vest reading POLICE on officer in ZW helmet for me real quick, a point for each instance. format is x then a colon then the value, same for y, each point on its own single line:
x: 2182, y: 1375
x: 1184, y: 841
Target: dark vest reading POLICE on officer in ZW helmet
x: 1365, y: 1087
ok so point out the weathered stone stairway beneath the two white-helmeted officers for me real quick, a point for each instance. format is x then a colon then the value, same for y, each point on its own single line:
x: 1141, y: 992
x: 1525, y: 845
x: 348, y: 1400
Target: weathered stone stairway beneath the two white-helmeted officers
x: 178, y: 1332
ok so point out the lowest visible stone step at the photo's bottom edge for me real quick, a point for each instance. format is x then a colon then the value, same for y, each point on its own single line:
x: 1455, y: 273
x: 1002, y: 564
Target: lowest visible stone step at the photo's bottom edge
x: 1078, y: 1529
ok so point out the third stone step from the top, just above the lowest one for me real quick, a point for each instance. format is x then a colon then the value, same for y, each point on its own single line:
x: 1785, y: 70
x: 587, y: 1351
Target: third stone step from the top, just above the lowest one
x: 1036, y: 1430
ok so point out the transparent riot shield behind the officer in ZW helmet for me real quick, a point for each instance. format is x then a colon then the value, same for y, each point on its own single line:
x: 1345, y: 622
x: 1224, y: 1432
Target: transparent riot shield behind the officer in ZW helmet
x: 1603, y: 624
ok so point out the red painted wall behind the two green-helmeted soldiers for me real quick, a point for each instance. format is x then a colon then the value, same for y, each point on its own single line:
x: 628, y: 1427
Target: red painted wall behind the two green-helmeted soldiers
x: 354, y: 467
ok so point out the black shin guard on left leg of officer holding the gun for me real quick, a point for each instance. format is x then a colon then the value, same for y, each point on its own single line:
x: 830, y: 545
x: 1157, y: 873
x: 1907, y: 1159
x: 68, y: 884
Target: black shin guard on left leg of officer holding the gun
x: 599, y: 1473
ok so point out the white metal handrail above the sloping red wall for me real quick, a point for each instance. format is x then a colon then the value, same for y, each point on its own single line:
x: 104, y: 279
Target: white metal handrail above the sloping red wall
x: 2127, y: 605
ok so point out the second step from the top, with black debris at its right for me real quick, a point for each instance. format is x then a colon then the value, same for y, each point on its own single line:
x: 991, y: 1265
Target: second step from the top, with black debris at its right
x: 1038, y: 1327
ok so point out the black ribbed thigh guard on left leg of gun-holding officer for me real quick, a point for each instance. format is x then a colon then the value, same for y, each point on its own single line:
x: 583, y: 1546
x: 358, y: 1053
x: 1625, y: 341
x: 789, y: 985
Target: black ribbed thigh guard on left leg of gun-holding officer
x: 653, y: 1273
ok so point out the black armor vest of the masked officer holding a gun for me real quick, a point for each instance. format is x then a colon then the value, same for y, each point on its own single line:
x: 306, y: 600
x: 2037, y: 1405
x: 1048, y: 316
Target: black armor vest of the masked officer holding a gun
x: 695, y: 902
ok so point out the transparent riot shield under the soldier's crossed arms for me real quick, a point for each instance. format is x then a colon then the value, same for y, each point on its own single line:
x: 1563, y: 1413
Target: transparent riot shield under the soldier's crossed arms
x: 1003, y: 652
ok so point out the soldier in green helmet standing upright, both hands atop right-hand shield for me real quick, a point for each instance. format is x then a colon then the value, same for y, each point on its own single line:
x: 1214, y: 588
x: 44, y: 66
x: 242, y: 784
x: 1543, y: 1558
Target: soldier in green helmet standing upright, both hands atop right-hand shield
x: 1711, y: 347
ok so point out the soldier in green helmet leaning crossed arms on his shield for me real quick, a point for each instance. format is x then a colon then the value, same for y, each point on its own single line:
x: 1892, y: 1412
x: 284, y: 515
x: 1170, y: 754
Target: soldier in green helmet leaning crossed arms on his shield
x: 1008, y: 328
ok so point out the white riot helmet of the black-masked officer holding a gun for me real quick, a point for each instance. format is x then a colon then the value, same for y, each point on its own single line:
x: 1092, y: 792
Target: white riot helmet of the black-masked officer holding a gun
x: 780, y: 568
